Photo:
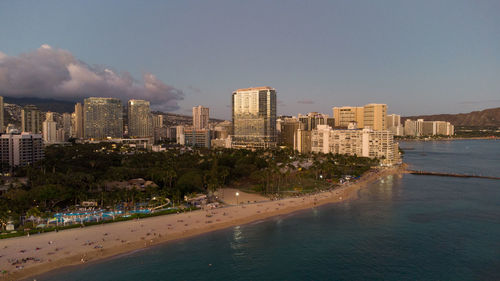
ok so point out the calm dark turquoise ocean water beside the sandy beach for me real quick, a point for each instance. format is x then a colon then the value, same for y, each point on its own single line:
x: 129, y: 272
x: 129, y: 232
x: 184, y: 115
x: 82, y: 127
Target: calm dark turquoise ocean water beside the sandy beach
x: 402, y: 228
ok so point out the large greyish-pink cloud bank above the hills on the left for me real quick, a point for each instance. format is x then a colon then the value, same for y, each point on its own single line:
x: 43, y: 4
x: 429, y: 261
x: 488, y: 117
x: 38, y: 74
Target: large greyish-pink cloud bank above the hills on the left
x: 54, y: 73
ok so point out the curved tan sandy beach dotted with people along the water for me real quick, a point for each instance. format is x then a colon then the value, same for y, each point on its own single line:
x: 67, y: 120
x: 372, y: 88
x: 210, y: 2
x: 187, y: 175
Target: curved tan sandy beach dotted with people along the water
x: 24, y: 257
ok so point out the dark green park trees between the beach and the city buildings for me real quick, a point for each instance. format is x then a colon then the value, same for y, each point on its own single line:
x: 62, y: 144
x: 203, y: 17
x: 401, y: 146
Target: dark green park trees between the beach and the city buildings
x: 72, y: 174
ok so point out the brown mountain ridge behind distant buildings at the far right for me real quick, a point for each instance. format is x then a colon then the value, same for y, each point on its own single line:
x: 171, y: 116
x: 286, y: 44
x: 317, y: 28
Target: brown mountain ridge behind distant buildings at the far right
x: 484, y: 118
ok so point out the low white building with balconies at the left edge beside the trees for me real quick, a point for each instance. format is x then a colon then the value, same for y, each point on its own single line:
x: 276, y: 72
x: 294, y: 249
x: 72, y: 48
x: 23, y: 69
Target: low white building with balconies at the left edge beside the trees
x: 20, y: 149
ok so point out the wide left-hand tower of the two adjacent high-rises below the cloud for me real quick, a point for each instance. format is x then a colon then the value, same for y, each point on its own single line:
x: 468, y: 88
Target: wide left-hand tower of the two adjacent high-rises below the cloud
x: 103, y: 118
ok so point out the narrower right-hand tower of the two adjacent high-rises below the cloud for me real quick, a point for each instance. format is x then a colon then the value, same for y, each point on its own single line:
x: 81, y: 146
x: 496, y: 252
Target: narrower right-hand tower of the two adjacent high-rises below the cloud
x: 139, y: 119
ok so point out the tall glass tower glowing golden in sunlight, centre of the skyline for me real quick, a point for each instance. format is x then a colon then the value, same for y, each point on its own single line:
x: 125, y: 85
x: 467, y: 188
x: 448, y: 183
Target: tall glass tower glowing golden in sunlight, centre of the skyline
x: 254, y: 118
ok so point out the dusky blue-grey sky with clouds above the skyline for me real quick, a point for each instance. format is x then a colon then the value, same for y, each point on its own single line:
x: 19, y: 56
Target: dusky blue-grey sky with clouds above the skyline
x: 418, y: 57
